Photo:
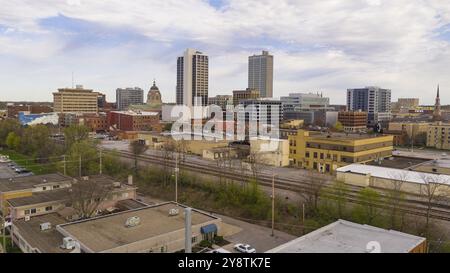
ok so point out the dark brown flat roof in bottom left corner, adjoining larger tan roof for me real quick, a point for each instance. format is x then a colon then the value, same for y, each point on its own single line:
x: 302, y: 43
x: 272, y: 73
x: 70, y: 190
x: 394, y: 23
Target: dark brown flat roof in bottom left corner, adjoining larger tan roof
x: 47, y: 241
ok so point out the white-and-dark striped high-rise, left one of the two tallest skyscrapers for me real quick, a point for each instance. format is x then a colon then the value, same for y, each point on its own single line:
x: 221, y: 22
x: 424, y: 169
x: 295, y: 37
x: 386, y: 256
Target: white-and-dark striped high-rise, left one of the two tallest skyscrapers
x: 192, y: 78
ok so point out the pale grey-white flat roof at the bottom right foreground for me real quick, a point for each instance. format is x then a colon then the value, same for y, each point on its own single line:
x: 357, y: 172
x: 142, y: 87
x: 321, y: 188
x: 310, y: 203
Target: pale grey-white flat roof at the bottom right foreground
x: 347, y: 237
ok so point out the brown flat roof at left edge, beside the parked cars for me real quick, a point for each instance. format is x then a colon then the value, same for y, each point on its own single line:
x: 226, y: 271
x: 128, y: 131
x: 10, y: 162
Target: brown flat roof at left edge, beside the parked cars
x: 28, y: 182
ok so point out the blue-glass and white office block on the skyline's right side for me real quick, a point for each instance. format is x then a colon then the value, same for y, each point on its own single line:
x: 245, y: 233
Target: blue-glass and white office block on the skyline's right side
x: 373, y: 100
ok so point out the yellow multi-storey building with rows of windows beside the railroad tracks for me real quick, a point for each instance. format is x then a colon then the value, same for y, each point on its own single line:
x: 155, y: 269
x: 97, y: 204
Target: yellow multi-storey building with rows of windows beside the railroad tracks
x: 325, y: 152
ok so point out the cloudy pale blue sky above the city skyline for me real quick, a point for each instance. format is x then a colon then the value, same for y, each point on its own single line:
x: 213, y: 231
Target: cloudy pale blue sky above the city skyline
x: 318, y: 46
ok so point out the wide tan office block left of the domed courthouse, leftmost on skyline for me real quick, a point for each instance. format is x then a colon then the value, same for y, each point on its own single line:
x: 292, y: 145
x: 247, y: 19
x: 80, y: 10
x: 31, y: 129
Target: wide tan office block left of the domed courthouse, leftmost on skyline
x: 75, y: 100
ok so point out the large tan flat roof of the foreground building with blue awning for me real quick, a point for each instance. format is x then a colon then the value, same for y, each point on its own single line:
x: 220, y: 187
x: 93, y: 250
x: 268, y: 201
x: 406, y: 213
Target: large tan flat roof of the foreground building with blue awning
x: 108, y: 232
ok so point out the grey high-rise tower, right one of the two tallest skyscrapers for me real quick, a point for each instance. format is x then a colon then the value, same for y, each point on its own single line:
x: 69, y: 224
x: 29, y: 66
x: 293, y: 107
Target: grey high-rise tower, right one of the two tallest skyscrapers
x: 260, y: 74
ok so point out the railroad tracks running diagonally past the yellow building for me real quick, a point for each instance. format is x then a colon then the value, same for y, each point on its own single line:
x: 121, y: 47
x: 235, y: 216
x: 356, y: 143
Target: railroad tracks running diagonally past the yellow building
x: 409, y: 206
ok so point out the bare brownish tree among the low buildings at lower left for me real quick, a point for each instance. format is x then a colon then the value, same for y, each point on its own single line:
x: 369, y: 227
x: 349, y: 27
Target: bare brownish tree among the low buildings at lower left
x: 86, y: 196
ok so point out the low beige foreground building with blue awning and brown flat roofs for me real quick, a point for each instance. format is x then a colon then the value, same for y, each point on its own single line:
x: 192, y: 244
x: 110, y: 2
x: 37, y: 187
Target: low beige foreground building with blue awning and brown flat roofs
x: 157, y: 228
